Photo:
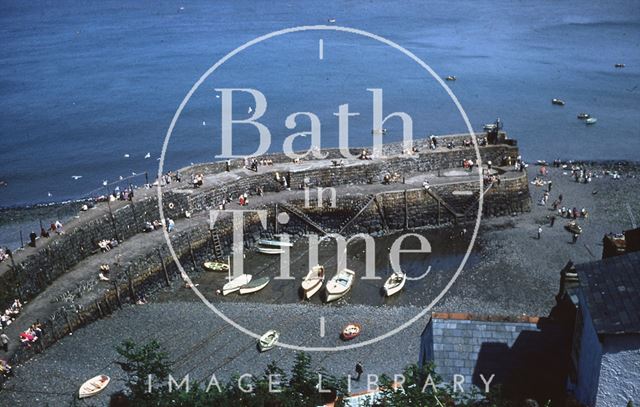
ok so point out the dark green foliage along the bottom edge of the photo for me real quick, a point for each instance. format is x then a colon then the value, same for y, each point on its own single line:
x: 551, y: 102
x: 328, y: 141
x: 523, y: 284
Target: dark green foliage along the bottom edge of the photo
x: 422, y: 387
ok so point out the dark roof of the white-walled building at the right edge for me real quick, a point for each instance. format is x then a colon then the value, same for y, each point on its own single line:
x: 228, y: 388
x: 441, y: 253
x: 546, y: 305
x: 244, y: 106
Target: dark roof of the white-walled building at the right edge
x: 611, y: 288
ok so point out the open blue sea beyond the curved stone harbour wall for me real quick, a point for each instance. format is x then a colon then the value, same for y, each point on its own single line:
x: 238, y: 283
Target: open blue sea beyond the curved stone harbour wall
x: 88, y: 90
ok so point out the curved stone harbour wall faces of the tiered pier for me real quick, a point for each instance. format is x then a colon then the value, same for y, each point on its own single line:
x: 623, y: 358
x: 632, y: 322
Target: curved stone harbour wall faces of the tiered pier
x: 374, y: 213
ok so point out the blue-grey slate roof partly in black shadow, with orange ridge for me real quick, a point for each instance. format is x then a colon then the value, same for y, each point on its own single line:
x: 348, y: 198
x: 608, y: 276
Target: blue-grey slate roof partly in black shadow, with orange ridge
x: 521, y: 351
